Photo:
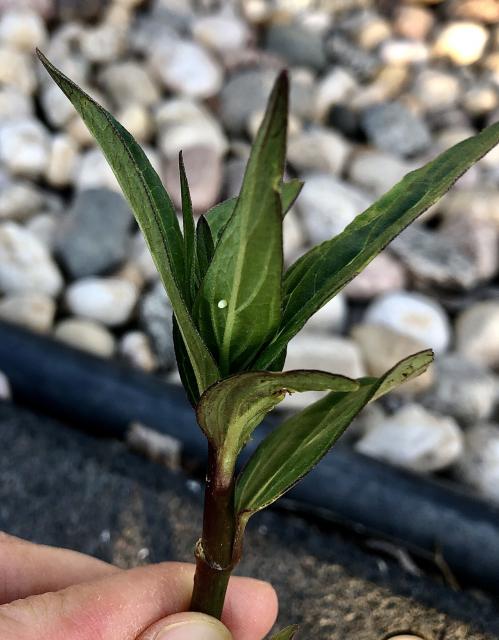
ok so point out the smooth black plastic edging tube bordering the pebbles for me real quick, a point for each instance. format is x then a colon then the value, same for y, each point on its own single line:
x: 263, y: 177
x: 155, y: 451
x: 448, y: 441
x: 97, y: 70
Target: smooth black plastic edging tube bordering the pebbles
x: 103, y: 397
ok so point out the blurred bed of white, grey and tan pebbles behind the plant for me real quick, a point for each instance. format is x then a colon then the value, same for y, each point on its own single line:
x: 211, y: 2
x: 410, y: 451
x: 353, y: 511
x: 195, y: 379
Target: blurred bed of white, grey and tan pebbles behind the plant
x: 377, y: 90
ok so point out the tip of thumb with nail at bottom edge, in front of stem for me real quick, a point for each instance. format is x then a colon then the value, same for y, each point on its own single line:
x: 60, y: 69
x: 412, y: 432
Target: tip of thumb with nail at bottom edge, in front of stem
x: 187, y: 626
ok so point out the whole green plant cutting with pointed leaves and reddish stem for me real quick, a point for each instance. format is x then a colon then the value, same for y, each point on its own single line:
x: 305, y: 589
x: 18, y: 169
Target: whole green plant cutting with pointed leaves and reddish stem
x: 235, y: 310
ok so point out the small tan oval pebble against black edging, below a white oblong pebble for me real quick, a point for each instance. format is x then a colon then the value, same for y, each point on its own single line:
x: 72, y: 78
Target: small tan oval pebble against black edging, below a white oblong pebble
x: 86, y: 335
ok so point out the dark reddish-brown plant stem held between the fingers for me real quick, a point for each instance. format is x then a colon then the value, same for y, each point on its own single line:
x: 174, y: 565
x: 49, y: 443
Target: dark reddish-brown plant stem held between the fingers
x: 214, y: 552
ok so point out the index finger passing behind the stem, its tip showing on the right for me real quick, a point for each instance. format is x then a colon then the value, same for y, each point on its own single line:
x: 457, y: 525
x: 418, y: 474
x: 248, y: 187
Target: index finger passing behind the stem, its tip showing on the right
x: 124, y: 605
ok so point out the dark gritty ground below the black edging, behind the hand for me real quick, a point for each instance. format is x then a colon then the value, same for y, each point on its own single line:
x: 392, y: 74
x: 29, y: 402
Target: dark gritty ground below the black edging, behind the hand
x: 61, y: 487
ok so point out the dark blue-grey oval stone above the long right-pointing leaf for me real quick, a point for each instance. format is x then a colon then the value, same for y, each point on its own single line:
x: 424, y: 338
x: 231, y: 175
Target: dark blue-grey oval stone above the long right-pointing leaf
x: 392, y: 127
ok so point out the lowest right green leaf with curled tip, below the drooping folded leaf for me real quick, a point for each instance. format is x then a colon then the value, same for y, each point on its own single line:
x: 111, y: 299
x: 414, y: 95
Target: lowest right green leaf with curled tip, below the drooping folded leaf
x: 297, y: 445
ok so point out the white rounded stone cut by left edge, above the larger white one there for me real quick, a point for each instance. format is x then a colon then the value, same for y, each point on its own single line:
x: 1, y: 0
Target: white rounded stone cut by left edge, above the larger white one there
x: 24, y: 147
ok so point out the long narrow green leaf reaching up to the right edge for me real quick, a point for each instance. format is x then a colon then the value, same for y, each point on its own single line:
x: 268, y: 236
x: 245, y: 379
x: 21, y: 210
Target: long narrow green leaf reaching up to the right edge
x: 322, y: 272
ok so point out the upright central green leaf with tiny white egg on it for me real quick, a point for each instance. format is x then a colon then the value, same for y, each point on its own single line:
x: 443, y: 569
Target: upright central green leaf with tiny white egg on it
x: 238, y: 308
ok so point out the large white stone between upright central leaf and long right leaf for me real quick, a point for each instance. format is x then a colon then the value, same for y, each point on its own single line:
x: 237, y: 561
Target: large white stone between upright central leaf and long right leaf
x: 328, y: 205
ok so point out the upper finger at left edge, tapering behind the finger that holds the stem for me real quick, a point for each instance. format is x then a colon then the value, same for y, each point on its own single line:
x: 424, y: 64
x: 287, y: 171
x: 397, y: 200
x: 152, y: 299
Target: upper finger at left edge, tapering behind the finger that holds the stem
x: 28, y: 569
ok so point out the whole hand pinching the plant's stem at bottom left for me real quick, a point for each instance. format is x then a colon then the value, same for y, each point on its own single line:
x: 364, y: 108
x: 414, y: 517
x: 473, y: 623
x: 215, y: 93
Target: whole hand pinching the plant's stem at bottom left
x: 57, y: 594
